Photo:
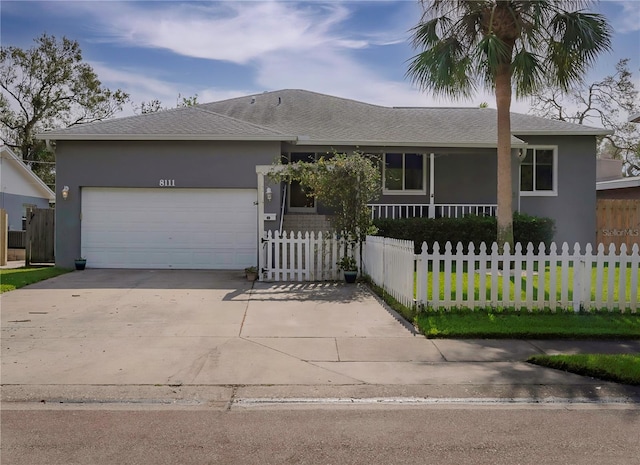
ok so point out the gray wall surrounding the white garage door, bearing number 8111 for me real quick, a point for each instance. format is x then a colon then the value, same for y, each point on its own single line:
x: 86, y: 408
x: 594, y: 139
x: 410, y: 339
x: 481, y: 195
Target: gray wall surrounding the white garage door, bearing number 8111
x: 198, y: 164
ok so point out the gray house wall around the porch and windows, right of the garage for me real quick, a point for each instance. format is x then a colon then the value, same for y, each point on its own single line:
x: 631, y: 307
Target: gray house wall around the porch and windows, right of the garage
x: 470, y: 176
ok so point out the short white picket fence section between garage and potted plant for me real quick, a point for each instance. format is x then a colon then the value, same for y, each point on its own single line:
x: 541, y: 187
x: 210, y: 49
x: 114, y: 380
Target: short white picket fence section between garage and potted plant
x: 305, y: 256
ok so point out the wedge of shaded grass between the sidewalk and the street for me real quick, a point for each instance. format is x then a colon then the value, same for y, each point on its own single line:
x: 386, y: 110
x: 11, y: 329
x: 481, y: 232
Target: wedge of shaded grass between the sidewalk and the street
x: 618, y: 368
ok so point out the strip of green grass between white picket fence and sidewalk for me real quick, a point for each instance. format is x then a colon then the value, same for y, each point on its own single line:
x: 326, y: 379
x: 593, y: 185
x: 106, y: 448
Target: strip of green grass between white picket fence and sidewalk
x: 528, y: 325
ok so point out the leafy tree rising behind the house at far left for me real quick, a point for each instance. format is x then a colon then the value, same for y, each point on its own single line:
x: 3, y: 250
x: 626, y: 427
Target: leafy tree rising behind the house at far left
x: 49, y: 86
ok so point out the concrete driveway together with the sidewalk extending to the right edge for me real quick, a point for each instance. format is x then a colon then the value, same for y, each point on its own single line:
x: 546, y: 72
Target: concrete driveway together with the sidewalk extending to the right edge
x: 201, y: 333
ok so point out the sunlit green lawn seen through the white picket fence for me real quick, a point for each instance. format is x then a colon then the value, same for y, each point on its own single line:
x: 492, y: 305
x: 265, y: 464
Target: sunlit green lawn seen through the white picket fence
x: 537, y: 282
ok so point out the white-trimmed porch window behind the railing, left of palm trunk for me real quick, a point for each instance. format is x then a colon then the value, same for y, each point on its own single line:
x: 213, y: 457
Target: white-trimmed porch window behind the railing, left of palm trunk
x: 404, y: 173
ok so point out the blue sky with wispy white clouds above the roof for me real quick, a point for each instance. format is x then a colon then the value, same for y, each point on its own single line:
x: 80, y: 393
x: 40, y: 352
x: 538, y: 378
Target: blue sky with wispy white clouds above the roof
x: 354, y: 49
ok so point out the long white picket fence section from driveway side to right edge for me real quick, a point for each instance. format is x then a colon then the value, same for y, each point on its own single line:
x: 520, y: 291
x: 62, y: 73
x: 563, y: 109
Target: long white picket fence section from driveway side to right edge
x: 522, y: 279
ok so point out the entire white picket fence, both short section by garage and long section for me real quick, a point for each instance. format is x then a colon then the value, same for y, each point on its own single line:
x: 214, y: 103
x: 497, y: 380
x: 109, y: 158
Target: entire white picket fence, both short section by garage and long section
x: 447, y: 278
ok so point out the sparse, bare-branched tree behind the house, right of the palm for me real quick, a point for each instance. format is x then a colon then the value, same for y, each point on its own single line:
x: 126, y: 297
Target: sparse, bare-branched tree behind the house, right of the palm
x: 608, y: 103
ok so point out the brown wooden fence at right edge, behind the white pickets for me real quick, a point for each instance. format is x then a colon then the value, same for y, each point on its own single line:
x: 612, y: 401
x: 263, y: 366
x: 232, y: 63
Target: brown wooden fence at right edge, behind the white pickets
x: 618, y: 222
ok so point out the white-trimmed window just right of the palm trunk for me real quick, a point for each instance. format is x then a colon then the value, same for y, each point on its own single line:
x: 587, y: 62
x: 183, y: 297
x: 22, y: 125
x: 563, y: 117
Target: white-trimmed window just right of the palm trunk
x: 538, y: 171
